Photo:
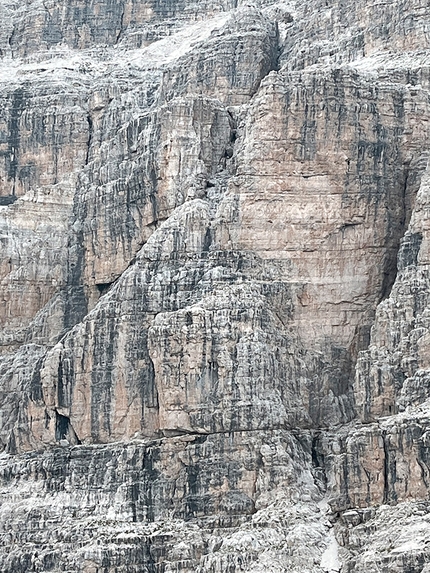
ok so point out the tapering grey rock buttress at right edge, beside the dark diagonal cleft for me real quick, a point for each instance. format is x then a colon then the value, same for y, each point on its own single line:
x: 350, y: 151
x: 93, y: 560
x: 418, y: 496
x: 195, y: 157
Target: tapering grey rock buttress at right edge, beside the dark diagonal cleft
x: 393, y: 373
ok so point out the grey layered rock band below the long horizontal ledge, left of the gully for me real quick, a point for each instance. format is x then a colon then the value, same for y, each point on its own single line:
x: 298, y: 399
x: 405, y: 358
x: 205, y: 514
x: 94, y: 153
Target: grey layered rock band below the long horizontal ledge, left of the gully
x: 137, y: 506
